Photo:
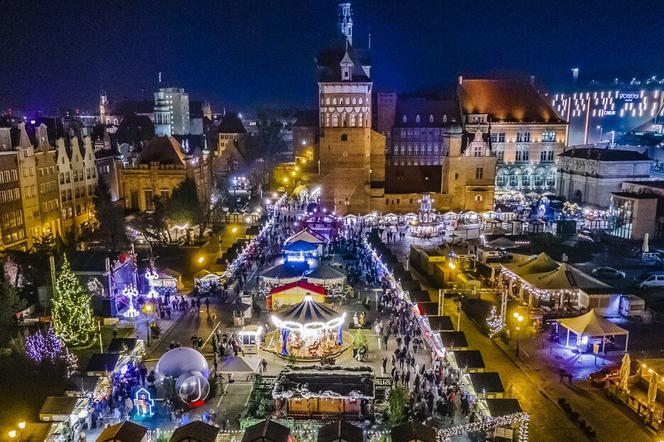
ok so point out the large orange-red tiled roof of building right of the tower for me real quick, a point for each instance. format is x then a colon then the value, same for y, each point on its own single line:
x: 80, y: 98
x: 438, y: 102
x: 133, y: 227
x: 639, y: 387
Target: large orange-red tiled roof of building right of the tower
x: 514, y: 101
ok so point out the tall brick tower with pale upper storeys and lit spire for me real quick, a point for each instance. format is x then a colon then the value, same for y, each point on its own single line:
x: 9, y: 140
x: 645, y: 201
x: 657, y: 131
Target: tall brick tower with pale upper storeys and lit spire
x: 345, y: 146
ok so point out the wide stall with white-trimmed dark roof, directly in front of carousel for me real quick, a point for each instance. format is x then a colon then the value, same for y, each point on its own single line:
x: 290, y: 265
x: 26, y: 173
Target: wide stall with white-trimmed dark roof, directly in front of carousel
x: 323, y: 391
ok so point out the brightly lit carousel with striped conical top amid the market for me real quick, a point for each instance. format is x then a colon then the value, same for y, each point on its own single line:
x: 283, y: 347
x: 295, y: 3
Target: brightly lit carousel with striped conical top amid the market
x: 308, y: 330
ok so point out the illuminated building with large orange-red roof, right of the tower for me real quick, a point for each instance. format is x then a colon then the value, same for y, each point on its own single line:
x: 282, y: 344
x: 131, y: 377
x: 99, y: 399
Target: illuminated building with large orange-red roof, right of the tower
x: 526, y: 134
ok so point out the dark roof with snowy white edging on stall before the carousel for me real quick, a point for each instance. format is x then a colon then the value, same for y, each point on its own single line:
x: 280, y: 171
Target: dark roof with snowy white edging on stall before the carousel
x: 334, y: 382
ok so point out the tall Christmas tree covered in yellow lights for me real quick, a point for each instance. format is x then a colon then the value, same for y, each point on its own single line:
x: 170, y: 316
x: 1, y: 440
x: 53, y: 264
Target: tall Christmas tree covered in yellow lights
x: 72, y: 316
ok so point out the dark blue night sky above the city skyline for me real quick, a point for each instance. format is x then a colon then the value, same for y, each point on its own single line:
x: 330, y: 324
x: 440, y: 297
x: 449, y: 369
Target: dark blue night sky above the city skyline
x: 241, y: 54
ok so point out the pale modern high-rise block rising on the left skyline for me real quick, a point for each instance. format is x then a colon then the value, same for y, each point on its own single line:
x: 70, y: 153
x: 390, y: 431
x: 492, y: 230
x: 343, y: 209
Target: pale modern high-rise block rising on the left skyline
x: 171, y: 112
